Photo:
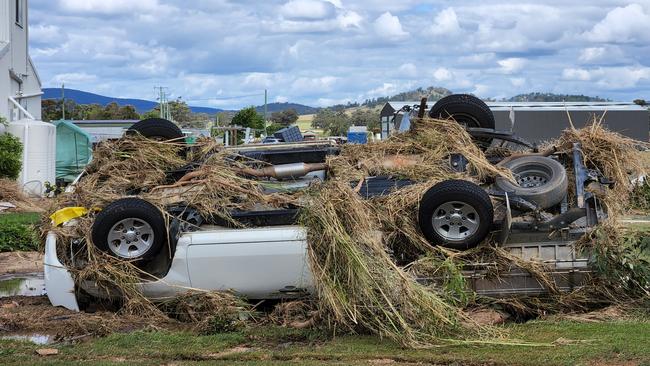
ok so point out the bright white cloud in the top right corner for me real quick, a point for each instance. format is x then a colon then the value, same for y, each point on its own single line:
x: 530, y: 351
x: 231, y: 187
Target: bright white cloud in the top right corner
x: 621, y: 25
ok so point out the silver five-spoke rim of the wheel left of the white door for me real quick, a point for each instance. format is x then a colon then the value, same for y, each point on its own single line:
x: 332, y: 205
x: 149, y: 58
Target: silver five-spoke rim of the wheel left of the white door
x: 130, y: 238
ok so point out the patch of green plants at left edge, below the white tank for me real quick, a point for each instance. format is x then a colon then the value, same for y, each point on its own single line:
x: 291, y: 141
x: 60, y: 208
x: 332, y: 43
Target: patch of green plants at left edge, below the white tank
x: 18, y: 232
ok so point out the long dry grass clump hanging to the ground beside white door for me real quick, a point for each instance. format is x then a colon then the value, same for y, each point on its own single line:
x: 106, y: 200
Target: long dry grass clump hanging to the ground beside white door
x: 359, y: 286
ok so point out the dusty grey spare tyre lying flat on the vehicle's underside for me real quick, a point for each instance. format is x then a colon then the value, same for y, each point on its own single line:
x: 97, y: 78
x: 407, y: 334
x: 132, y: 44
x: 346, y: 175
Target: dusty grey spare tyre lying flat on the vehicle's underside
x: 540, y: 180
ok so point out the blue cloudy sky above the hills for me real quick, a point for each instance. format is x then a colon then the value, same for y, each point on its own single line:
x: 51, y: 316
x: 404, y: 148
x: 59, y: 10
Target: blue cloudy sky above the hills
x: 325, y: 52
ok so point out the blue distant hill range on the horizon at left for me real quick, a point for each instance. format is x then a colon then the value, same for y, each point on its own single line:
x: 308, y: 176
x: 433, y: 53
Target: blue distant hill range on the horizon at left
x: 82, y: 97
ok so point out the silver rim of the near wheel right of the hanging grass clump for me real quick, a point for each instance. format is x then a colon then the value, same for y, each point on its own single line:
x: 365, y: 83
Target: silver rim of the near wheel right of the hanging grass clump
x: 455, y: 221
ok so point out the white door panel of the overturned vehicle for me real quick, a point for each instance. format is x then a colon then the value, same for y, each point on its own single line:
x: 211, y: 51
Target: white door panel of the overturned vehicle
x: 260, y: 263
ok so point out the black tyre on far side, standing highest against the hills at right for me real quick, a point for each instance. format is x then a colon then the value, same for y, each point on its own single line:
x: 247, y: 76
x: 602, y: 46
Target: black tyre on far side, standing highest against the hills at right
x: 465, y: 109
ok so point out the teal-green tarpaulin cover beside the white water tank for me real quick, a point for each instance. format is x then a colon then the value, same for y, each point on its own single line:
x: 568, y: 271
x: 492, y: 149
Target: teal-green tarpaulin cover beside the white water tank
x: 73, y: 150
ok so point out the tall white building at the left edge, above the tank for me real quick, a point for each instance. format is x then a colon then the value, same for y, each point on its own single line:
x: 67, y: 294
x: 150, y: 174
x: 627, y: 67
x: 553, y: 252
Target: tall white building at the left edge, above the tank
x: 20, y: 86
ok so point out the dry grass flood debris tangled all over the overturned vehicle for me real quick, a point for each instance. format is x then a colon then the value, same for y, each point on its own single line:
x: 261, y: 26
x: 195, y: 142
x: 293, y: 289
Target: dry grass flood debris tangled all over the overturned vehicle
x: 364, y: 254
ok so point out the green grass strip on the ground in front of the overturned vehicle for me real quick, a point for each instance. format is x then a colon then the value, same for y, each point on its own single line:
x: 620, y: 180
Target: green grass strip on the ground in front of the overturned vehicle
x: 552, y: 343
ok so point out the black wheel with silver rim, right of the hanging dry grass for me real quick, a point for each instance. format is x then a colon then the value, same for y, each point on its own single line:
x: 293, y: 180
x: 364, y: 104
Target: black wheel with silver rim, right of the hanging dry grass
x: 455, y: 213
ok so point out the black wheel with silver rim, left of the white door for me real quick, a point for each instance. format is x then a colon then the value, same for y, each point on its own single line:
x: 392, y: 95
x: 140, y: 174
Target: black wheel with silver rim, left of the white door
x: 131, y: 229
